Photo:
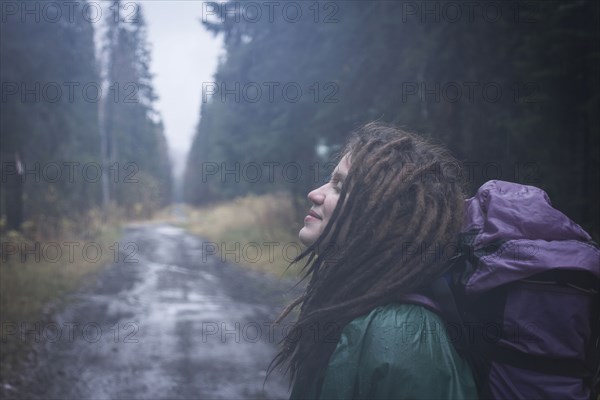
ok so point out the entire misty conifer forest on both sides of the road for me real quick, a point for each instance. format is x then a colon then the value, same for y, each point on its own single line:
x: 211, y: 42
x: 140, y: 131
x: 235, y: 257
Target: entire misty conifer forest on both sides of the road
x: 512, y: 88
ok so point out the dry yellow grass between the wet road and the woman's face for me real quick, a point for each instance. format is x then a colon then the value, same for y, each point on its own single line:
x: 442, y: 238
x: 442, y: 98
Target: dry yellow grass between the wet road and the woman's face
x: 256, y: 231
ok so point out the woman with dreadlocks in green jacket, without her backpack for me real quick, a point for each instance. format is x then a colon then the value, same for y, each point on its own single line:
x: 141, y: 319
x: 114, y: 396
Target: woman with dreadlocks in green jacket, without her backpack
x: 381, y: 228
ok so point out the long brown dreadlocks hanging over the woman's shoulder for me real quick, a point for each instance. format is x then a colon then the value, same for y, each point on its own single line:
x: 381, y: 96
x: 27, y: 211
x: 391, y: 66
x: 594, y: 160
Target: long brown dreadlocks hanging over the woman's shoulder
x: 394, y: 225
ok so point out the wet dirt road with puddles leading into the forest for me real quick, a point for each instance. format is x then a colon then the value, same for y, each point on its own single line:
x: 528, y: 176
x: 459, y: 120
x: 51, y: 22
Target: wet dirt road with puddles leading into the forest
x: 167, y: 321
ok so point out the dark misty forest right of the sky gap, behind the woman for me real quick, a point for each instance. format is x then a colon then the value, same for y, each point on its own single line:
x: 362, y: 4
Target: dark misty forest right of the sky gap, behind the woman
x: 511, y: 87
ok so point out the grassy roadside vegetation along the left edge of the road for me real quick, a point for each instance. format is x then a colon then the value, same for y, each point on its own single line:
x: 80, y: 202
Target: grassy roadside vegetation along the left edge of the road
x: 38, y: 271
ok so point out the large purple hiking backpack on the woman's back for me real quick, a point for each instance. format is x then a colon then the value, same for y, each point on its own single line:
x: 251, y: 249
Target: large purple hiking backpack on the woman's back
x: 521, y: 300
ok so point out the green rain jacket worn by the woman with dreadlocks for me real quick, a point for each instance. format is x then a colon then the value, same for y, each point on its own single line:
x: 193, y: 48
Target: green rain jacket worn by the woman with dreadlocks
x: 397, y: 351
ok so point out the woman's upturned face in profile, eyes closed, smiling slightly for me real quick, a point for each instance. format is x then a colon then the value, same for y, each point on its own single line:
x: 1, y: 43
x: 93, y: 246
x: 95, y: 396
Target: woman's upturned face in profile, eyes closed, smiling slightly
x: 324, y: 200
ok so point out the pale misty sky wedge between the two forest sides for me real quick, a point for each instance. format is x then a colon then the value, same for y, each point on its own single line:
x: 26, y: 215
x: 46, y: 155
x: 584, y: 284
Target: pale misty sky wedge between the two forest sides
x: 184, y: 55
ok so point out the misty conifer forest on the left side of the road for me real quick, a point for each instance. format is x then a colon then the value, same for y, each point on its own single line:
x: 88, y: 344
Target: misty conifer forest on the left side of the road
x: 80, y: 132
